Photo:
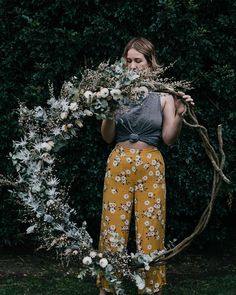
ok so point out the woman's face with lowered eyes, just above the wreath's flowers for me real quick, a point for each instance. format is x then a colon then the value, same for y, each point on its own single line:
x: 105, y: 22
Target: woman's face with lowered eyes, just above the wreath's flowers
x: 136, y: 60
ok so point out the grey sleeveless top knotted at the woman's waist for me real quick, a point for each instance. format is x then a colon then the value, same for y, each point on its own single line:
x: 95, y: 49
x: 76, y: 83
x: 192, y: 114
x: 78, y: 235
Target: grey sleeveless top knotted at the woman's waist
x: 142, y: 122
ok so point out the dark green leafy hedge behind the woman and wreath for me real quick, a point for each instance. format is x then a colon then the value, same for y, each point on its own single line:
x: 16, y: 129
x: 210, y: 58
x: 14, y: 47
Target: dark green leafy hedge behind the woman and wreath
x: 53, y: 40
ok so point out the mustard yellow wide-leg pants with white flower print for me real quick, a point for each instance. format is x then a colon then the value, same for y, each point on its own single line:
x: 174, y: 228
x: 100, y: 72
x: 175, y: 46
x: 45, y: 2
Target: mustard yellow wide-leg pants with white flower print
x: 135, y: 178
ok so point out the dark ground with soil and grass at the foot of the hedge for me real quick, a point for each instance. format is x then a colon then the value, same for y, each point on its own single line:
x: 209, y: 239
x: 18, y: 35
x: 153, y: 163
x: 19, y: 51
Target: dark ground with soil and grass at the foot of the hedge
x: 187, y: 274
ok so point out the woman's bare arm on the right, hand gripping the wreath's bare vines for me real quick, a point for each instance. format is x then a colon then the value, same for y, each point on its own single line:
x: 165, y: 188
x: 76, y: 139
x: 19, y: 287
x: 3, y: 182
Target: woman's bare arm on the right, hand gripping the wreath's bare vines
x: 172, y: 121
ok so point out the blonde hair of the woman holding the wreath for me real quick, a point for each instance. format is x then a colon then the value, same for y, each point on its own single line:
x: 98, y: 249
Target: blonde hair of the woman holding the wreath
x: 145, y: 47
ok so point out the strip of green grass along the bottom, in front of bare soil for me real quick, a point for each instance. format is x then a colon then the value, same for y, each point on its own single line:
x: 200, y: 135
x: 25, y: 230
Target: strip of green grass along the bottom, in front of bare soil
x: 57, y: 285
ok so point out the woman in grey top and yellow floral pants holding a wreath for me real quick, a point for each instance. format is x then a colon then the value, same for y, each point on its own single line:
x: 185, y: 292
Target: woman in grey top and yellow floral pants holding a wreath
x: 135, y: 175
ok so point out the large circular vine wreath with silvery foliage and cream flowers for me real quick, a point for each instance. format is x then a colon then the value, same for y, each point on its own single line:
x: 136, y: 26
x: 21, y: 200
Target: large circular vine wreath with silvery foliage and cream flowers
x: 98, y: 92
